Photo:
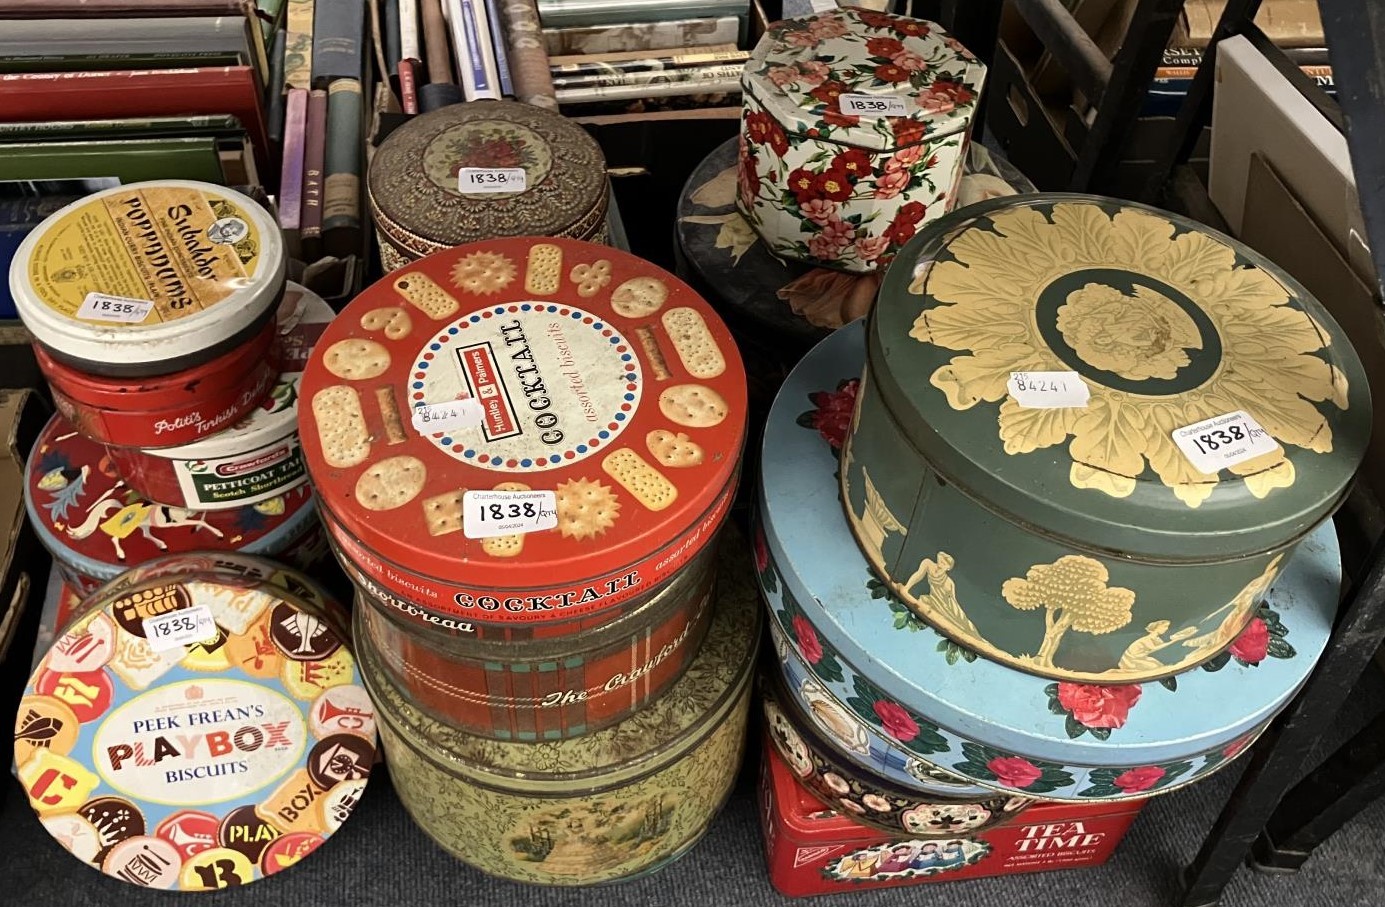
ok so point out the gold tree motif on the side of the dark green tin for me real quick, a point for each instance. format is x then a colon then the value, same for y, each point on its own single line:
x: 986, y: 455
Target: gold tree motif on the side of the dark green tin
x: 1075, y: 596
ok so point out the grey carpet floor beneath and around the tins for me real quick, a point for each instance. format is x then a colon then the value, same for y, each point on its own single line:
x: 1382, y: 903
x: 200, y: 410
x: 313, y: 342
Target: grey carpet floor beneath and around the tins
x: 382, y: 859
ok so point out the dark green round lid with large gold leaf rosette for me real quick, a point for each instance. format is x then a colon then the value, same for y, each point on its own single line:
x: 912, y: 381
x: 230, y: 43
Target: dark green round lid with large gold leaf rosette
x: 1211, y: 406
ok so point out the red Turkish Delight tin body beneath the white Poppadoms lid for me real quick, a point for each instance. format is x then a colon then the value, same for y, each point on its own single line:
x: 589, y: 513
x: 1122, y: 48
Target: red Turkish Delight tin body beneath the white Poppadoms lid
x: 168, y: 411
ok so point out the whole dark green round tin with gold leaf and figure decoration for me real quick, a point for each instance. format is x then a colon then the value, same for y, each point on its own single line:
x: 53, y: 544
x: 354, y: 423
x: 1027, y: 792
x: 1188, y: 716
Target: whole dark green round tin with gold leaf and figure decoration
x: 1091, y: 435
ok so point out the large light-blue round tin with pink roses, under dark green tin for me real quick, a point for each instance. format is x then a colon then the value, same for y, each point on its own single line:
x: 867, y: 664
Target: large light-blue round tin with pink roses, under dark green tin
x: 994, y: 725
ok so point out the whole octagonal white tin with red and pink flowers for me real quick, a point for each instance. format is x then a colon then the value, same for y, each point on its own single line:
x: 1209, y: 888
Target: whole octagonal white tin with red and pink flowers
x: 854, y: 131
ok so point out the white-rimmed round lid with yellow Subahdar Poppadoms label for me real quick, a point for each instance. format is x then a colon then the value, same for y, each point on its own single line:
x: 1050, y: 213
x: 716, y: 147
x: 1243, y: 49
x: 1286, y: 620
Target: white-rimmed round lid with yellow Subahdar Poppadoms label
x: 149, y: 278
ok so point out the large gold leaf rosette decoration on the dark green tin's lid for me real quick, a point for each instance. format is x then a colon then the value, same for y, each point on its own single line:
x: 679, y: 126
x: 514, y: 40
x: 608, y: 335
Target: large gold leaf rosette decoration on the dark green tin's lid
x: 984, y: 307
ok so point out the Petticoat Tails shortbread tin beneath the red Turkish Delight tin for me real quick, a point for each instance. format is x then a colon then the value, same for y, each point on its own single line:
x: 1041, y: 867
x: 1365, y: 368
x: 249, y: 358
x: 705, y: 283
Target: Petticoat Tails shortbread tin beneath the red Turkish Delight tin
x: 258, y: 458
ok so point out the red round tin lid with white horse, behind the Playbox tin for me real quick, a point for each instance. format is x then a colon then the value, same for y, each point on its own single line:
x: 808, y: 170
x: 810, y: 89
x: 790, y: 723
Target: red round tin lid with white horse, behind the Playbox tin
x: 88, y: 517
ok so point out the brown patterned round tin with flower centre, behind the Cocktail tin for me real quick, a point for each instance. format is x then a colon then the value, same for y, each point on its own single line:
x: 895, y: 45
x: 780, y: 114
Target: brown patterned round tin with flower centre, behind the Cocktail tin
x: 485, y: 170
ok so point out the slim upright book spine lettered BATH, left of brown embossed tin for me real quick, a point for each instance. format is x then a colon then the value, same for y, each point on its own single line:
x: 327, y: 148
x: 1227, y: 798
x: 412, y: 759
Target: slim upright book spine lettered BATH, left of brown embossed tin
x: 341, y: 189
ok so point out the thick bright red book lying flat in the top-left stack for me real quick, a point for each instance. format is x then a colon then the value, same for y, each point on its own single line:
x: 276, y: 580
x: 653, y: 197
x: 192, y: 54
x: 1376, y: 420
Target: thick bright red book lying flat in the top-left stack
x: 31, y: 98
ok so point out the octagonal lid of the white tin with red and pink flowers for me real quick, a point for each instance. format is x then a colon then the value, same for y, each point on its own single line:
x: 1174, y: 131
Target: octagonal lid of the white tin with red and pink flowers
x: 922, y: 78
